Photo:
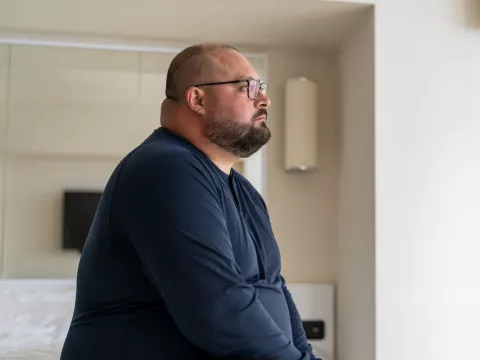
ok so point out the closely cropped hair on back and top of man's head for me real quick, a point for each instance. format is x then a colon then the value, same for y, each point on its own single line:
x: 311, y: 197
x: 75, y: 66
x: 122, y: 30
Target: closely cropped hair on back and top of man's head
x: 193, y: 65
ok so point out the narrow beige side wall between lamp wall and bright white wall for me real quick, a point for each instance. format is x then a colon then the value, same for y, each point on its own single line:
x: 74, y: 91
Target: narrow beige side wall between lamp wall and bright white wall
x: 355, y: 271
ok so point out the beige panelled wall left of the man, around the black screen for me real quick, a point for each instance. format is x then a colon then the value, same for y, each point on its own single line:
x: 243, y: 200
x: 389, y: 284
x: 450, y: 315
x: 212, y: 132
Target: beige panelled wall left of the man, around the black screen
x: 73, y: 113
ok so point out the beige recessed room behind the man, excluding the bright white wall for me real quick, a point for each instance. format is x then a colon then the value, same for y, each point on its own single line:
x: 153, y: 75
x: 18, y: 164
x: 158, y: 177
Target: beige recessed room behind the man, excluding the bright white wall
x: 81, y: 85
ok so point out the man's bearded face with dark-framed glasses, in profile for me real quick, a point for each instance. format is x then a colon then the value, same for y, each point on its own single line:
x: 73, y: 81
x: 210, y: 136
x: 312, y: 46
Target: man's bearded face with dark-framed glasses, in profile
x: 233, y: 121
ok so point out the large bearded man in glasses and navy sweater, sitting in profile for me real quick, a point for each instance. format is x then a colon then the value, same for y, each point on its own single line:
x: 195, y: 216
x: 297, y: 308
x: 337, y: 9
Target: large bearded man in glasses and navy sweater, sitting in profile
x: 181, y: 262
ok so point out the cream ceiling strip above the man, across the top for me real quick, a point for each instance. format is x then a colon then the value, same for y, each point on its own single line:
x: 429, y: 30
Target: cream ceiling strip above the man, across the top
x: 246, y: 22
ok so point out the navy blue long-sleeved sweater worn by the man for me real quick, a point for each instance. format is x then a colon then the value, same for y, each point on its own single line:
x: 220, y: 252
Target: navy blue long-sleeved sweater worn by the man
x: 181, y: 263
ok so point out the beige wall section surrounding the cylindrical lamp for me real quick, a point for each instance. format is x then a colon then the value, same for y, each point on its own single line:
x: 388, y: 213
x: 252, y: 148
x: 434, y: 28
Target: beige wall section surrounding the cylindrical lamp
x: 303, y: 206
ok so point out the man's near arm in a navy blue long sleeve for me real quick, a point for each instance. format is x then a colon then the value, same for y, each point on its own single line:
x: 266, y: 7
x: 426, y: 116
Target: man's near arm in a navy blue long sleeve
x: 175, y: 222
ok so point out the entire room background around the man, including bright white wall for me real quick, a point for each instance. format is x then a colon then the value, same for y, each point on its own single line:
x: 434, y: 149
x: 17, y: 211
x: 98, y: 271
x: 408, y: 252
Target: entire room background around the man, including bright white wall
x: 379, y: 243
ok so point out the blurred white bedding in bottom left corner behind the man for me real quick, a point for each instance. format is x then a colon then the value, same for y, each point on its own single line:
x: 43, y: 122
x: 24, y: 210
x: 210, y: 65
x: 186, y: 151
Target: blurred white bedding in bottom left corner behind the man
x: 34, y: 317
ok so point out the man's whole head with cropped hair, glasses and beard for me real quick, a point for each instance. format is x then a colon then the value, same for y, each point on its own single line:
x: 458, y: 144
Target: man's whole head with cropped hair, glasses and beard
x: 226, y: 121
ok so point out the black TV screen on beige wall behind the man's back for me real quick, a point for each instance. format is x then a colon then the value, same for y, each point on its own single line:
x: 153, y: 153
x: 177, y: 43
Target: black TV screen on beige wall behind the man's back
x: 79, y: 209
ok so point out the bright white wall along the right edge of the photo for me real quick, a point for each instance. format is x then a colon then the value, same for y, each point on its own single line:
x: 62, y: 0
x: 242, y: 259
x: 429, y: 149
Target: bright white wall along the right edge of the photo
x: 427, y: 180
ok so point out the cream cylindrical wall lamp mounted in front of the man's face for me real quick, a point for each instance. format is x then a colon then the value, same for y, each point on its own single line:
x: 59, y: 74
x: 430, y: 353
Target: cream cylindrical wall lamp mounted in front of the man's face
x: 300, y: 125
